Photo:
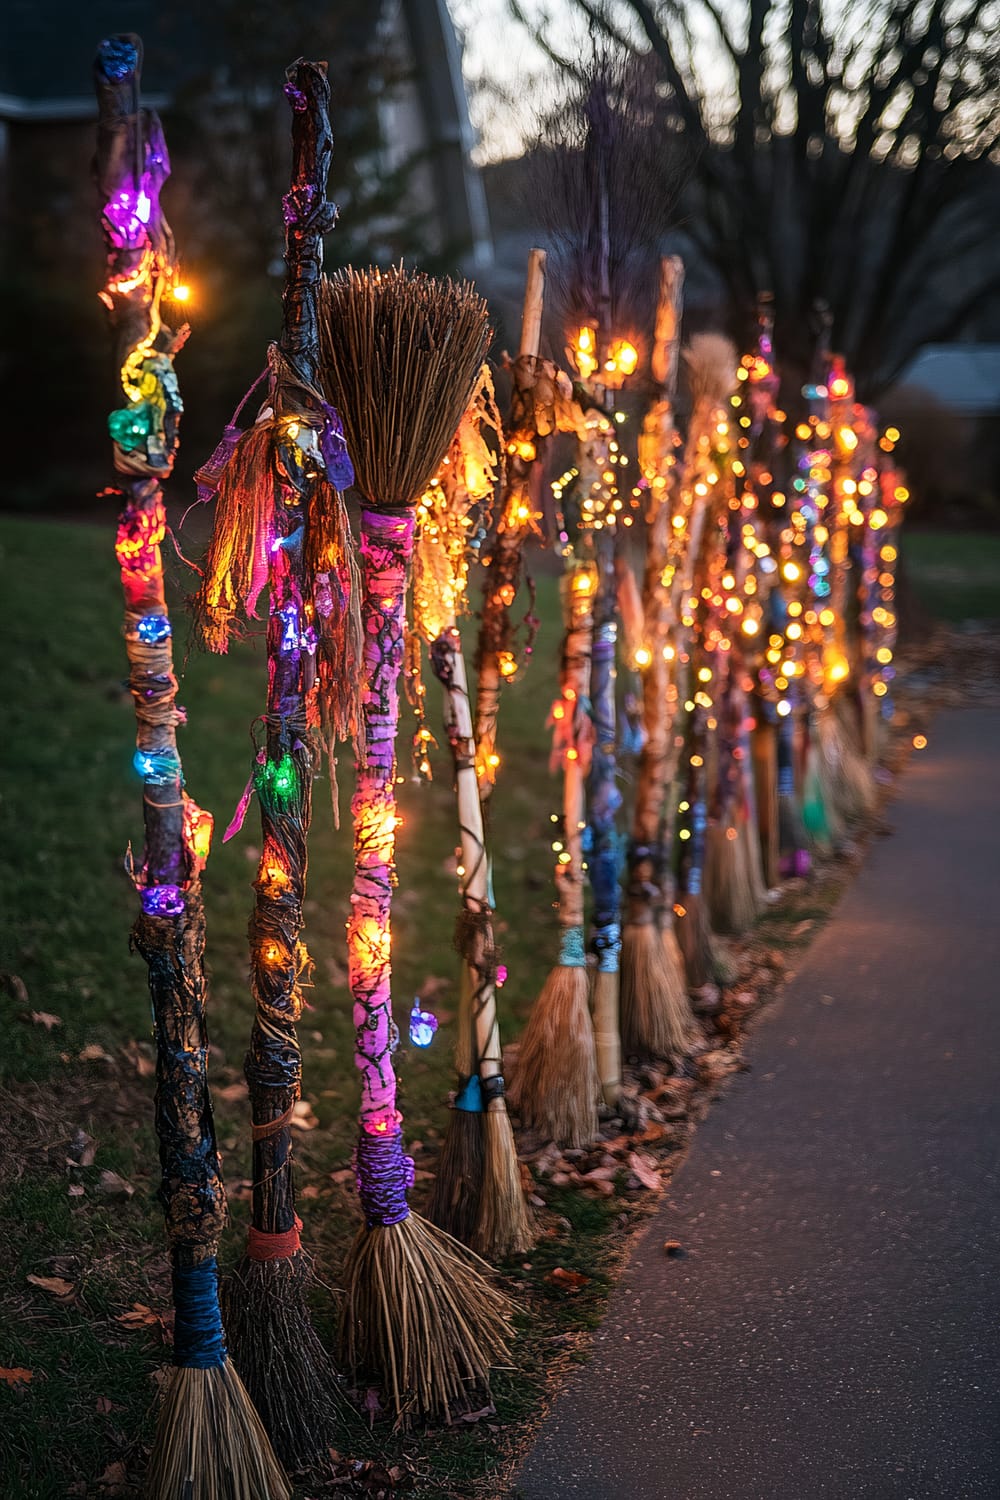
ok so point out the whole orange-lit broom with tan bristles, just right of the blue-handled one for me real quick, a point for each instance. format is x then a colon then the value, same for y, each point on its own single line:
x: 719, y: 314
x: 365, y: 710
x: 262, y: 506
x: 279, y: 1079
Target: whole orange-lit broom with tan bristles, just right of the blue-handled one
x: 656, y: 1015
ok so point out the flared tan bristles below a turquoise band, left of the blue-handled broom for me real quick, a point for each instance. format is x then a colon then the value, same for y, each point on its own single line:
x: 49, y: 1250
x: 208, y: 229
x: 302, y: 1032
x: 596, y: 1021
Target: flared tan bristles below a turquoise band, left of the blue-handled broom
x: 557, y: 1084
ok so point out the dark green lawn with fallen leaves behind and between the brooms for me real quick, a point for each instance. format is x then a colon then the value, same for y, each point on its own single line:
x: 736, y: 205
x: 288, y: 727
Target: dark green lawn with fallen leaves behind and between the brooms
x: 77, y: 1151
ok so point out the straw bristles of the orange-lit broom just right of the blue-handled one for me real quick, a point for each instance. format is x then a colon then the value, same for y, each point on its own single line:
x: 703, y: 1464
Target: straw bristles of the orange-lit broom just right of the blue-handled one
x: 656, y: 1013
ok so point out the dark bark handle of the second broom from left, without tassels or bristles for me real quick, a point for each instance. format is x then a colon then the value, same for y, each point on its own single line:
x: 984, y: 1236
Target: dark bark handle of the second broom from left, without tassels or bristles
x: 278, y: 958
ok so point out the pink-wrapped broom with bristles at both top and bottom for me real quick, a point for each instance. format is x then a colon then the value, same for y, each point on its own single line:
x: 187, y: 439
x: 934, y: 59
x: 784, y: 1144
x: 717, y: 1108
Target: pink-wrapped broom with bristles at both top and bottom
x: 403, y: 355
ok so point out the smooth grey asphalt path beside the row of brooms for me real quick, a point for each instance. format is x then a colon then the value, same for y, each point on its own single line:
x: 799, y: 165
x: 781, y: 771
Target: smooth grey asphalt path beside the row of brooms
x: 825, y: 1324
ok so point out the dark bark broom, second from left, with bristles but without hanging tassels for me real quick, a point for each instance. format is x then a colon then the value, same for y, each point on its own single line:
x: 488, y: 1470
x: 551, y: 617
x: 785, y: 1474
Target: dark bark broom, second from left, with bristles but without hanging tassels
x: 289, y: 1373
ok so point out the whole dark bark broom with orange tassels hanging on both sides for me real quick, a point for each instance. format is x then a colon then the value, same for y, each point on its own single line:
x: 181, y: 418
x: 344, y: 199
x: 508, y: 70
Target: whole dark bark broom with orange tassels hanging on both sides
x: 281, y: 523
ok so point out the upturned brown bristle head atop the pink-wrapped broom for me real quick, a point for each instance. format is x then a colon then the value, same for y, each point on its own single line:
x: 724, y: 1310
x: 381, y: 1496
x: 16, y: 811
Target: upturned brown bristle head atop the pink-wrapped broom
x: 401, y: 359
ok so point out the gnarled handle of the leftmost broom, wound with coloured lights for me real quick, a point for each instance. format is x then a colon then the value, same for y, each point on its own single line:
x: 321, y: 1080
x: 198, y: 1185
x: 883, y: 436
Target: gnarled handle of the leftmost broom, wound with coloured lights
x: 131, y: 167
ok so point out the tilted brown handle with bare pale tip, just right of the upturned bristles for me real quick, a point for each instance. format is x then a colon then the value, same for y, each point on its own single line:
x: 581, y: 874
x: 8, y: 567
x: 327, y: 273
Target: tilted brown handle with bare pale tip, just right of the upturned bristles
x: 504, y: 574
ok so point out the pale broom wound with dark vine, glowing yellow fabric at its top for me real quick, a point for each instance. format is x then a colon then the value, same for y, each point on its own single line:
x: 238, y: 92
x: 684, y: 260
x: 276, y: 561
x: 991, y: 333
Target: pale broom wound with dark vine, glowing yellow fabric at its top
x: 478, y: 1193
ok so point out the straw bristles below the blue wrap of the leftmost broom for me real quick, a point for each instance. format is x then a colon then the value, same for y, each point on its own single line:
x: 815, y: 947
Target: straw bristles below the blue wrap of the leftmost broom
x: 211, y: 1444
